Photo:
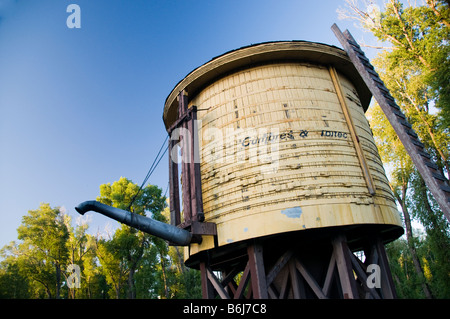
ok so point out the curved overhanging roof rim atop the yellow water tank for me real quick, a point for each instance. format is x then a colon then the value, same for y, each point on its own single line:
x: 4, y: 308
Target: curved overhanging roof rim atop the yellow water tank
x: 263, y: 53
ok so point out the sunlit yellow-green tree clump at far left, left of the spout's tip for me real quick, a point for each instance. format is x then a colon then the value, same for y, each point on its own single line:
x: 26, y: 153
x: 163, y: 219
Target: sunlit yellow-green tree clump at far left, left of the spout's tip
x: 36, y: 265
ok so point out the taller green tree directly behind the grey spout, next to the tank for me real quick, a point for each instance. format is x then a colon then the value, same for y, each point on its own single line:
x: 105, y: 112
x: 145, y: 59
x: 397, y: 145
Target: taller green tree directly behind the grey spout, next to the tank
x: 139, y: 265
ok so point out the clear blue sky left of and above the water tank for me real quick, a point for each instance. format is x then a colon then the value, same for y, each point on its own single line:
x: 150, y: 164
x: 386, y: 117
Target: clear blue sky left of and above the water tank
x: 83, y: 107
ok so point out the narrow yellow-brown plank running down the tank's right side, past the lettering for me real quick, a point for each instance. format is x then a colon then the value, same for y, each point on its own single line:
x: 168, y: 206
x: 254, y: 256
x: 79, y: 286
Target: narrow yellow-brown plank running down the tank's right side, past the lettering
x: 351, y: 127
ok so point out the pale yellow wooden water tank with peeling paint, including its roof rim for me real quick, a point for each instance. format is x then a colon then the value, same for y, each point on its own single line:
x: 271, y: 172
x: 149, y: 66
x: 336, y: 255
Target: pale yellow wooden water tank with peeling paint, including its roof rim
x: 279, y: 146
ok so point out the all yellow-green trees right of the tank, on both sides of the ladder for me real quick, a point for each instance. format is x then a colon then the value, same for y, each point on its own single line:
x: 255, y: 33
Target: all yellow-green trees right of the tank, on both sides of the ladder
x: 414, y: 65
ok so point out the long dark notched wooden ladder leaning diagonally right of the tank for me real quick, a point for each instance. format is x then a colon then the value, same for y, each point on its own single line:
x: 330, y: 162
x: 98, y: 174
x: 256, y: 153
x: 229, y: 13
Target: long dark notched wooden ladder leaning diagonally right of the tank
x: 433, y: 177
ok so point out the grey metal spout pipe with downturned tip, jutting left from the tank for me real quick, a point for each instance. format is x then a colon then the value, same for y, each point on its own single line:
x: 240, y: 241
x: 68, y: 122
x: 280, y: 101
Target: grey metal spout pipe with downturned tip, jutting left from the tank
x: 175, y: 235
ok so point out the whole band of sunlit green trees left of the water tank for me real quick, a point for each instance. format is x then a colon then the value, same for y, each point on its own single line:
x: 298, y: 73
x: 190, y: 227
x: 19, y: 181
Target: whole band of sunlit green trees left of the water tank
x: 128, y: 264
